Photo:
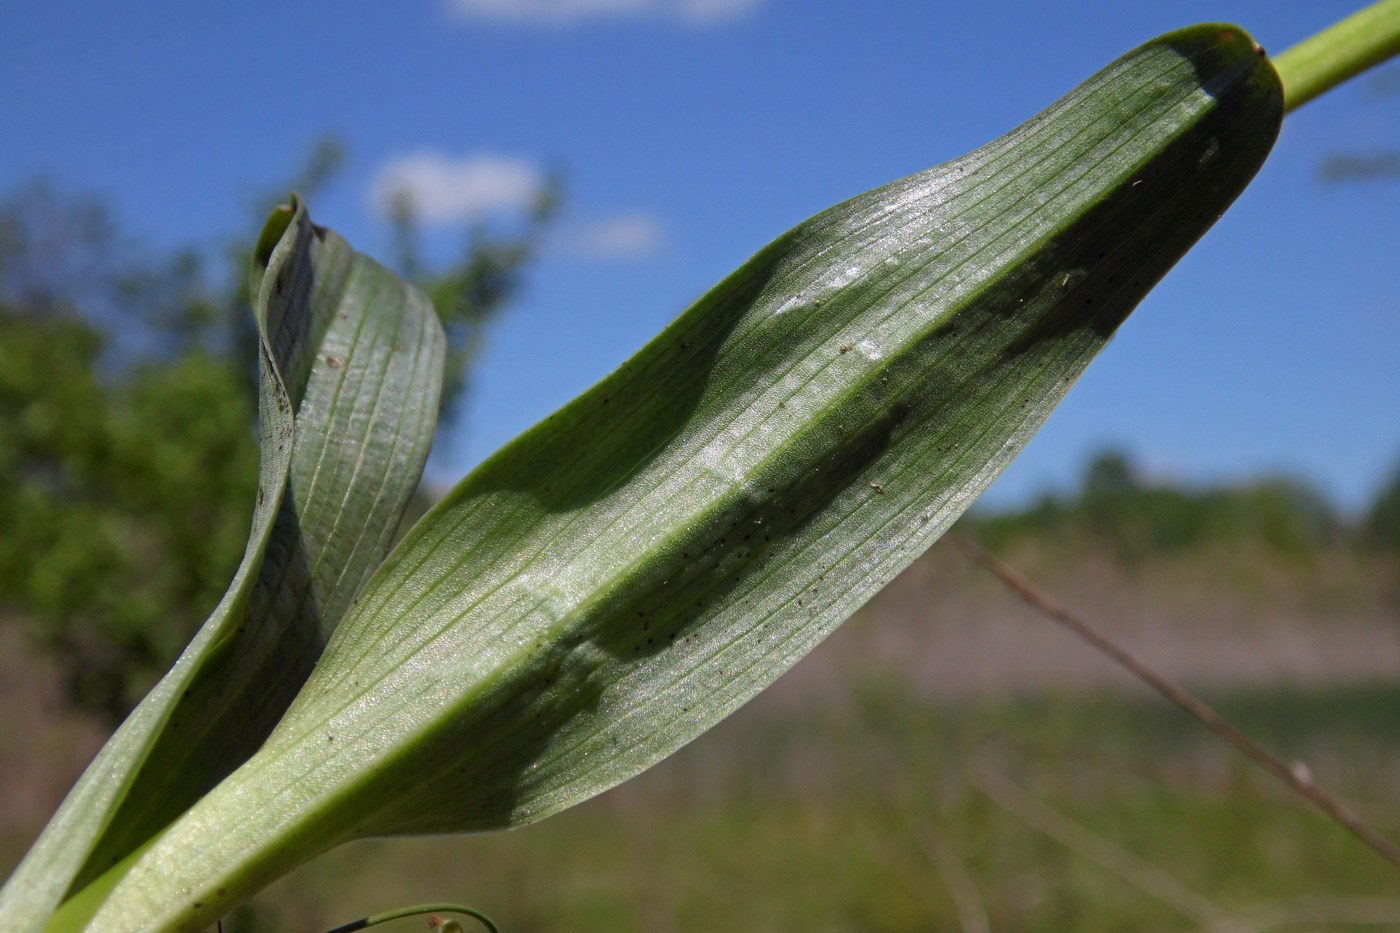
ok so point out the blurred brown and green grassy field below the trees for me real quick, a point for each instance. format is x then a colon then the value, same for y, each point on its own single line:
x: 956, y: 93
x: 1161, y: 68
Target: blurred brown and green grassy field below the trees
x: 947, y: 761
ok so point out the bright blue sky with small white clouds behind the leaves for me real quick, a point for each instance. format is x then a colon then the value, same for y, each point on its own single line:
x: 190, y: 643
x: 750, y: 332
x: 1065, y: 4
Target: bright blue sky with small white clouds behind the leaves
x: 692, y: 132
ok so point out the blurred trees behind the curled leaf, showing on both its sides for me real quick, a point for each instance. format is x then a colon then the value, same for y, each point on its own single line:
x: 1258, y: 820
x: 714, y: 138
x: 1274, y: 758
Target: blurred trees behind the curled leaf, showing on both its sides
x: 128, y: 456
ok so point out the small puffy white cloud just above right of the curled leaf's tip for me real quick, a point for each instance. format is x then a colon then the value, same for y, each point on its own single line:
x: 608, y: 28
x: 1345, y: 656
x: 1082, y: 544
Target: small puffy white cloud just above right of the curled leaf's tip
x: 444, y: 190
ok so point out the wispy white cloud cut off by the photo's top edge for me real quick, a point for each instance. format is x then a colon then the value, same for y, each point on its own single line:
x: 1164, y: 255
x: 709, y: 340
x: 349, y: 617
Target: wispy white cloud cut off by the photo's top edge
x: 554, y: 13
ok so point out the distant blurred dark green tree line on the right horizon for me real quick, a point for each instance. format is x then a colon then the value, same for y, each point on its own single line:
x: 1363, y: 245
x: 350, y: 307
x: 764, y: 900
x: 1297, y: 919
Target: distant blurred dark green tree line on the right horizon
x: 1116, y: 506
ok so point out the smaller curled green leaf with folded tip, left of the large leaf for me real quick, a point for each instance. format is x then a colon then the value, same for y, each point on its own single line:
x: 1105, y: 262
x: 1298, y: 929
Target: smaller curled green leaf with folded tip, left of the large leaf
x: 358, y: 357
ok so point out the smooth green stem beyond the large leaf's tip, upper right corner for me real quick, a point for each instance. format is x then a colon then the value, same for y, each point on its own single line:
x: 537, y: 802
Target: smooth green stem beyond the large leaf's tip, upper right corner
x: 1340, y: 53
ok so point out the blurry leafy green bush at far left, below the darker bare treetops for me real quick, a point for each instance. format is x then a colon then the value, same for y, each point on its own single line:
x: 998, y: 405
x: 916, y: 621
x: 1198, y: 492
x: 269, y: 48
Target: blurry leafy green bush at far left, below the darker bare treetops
x: 125, y: 499
